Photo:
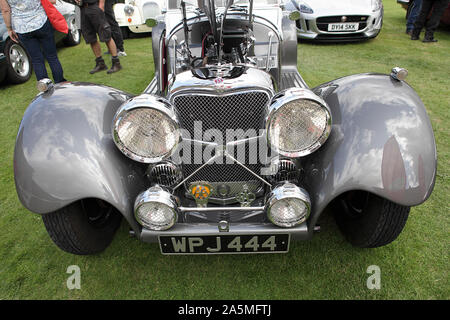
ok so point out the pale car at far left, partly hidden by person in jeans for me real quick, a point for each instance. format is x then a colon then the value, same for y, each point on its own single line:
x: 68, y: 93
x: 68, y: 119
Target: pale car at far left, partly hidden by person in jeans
x: 15, y: 62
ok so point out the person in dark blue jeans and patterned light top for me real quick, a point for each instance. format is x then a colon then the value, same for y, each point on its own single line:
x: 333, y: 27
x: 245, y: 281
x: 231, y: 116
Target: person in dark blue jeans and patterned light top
x: 27, y: 21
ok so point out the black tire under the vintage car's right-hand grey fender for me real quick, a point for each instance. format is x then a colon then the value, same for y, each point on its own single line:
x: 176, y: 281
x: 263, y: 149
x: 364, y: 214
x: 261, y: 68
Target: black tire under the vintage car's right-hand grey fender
x: 368, y: 221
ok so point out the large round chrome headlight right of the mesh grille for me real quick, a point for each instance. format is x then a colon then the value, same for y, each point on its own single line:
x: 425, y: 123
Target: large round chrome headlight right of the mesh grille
x: 298, y: 122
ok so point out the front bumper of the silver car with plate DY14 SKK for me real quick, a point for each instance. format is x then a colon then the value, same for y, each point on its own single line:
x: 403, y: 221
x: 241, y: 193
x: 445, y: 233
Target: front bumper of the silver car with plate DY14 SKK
x: 309, y: 27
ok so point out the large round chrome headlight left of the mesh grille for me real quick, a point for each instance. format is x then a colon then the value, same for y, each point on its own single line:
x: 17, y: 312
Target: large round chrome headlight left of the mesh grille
x: 146, y: 129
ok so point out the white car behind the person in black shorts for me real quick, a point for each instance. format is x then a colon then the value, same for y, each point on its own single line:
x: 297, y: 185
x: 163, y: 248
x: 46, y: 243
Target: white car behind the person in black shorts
x: 132, y: 14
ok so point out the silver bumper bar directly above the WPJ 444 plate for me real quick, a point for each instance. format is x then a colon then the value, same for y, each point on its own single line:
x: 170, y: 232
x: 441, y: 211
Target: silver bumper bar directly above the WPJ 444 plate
x: 198, y: 229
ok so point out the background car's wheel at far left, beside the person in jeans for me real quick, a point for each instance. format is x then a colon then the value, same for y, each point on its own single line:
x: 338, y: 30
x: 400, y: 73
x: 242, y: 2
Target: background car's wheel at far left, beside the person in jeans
x: 19, y: 62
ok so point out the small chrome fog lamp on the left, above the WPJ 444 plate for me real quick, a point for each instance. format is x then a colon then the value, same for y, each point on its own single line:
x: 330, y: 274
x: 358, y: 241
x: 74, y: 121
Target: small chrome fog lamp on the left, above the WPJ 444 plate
x: 156, y: 209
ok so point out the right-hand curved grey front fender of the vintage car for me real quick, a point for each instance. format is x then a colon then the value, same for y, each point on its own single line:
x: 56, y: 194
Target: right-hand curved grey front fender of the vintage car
x: 381, y: 142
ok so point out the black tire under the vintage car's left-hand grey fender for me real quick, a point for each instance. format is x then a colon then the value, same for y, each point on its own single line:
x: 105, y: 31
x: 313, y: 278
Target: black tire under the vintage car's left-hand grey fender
x: 84, y: 227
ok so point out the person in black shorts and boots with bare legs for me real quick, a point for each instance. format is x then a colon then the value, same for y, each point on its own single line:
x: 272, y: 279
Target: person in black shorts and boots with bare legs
x: 93, y: 22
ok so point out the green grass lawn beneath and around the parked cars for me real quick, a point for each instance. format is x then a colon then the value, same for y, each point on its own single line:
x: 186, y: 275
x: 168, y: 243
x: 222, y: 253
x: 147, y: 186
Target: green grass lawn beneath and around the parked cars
x: 327, y: 267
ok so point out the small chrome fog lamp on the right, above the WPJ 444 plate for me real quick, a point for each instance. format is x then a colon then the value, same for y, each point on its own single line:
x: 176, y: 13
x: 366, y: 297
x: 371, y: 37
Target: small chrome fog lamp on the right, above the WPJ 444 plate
x: 288, y: 205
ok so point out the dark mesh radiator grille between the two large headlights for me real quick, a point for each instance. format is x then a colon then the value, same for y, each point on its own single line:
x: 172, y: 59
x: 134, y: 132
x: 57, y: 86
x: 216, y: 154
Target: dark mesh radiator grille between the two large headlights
x: 242, y: 110
